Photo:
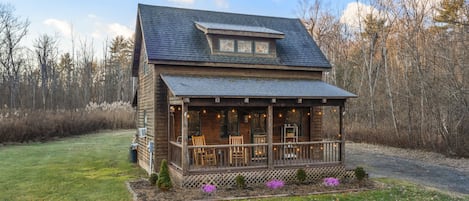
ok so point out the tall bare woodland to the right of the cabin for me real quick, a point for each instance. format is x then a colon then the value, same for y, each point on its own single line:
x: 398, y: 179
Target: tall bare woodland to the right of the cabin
x: 408, y: 62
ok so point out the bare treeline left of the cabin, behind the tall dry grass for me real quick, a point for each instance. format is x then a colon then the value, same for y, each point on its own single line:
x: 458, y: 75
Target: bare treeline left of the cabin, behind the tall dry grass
x: 45, y: 77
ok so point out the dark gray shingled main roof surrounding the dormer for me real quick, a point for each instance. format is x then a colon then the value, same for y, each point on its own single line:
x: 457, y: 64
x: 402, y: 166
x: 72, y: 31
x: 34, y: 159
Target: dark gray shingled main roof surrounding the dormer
x: 170, y: 34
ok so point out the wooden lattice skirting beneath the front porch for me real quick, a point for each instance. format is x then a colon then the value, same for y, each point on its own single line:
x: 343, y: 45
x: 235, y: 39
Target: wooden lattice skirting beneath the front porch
x: 260, y: 177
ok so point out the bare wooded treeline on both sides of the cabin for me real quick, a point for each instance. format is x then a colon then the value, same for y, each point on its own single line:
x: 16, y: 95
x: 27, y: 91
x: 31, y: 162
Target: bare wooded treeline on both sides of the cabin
x: 407, y: 60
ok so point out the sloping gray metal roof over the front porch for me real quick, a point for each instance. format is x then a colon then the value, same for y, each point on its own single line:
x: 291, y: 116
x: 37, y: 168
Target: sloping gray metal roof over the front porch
x: 251, y: 87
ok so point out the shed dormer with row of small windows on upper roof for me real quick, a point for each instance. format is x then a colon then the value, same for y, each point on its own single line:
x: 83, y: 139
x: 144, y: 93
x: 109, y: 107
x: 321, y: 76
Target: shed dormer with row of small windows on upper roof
x: 240, y: 40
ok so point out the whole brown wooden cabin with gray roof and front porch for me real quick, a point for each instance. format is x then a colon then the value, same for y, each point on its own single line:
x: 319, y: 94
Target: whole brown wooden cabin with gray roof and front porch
x: 224, y: 94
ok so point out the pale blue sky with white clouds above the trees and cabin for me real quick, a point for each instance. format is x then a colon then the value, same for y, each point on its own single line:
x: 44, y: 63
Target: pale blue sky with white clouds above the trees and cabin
x: 98, y: 21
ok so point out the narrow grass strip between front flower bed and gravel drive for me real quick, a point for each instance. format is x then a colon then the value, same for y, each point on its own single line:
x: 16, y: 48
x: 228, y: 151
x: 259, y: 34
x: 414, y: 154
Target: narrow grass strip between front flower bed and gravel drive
x: 393, y: 190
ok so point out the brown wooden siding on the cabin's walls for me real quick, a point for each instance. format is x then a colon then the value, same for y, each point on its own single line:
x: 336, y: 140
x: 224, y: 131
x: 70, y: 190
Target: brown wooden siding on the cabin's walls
x: 153, y: 97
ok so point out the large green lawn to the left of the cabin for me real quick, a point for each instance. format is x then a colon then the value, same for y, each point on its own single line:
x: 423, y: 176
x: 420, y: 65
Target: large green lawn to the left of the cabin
x: 89, y: 167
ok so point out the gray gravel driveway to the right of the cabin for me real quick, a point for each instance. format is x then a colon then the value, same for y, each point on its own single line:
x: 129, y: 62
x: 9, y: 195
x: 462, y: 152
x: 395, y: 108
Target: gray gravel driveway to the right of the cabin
x: 426, y: 168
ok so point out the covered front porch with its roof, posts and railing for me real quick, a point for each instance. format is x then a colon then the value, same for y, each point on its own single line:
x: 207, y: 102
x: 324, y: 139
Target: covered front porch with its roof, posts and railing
x: 231, y: 124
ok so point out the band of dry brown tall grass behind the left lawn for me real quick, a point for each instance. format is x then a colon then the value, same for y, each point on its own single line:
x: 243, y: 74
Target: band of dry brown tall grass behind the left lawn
x: 26, y: 126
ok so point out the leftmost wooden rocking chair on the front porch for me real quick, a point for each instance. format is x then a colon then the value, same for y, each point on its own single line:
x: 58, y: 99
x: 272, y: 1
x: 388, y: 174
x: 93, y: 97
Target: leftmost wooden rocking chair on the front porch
x: 203, y: 156
